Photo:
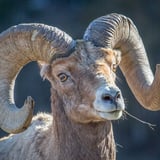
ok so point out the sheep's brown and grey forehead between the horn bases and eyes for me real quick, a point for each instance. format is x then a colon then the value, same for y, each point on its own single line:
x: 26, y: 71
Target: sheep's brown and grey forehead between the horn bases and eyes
x: 85, y: 56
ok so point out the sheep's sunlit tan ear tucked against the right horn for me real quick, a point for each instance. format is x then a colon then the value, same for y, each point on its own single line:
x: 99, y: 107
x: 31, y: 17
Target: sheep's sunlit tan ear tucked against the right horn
x: 112, y: 54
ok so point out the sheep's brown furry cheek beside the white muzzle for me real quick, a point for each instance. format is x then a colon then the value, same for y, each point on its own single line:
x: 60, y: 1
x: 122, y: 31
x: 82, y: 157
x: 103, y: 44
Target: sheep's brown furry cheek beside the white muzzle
x: 79, y: 107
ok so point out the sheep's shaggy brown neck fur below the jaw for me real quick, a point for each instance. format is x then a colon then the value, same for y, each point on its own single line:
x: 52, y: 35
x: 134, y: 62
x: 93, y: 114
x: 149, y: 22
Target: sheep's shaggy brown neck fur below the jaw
x: 93, y: 141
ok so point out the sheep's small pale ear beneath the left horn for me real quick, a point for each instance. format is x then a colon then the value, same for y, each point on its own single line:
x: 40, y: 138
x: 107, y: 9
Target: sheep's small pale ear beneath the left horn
x: 44, y: 69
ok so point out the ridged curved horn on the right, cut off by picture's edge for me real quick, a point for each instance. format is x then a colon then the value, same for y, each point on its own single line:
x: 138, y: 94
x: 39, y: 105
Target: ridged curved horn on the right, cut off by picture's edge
x: 118, y: 32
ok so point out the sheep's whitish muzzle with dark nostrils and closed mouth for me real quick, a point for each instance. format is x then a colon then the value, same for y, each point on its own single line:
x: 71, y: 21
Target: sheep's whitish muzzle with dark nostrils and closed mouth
x: 109, y: 102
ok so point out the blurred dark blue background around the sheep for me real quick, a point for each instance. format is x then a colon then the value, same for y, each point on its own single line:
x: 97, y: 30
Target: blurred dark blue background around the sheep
x: 134, y: 140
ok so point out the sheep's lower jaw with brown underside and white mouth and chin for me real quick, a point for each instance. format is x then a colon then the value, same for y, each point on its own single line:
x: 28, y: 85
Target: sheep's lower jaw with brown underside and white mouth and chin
x: 97, y: 111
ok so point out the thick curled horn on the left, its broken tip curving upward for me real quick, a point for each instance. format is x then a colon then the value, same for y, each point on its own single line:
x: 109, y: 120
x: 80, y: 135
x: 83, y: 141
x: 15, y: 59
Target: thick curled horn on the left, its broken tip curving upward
x: 18, y: 46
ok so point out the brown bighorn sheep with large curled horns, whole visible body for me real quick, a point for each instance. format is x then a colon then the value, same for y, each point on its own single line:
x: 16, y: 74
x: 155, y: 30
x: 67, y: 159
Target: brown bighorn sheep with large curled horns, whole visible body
x: 84, y: 96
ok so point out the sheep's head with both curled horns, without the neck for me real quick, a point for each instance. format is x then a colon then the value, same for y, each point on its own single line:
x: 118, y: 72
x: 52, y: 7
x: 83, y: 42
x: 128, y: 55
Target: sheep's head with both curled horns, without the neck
x: 82, y: 73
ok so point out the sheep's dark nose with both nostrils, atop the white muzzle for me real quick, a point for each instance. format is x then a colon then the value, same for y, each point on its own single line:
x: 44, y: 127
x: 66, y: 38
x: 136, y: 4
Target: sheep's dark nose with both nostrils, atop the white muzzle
x: 114, y: 97
